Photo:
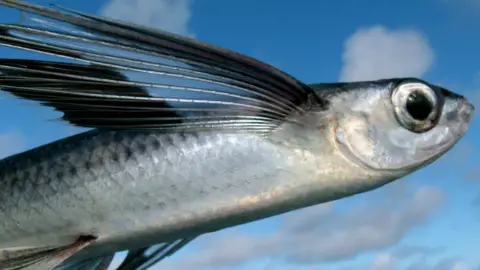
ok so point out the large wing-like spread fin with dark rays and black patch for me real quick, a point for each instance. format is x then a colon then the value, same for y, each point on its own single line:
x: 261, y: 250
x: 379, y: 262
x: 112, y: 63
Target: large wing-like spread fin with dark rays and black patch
x: 202, y: 84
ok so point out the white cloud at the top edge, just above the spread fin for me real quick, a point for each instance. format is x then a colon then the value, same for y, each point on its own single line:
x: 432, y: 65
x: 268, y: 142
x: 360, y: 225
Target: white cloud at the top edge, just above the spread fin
x: 168, y: 15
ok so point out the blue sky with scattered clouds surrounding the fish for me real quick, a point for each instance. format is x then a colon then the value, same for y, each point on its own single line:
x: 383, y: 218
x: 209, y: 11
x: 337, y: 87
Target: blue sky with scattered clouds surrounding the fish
x: 428, y: 220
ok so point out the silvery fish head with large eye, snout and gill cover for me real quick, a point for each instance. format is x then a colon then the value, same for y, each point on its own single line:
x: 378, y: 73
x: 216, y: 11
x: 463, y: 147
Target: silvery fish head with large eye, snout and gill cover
x: 397, y: 125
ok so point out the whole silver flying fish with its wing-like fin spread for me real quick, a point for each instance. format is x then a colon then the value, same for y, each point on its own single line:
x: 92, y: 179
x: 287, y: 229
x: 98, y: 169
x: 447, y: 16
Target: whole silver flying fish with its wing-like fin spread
x: 245, y: 142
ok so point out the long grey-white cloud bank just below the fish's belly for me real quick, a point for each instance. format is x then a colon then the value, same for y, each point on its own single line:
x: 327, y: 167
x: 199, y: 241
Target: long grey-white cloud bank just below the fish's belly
x: 321, y: 233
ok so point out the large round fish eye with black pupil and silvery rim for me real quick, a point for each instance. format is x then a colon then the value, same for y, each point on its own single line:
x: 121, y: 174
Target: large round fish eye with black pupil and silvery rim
x: 417, y: 106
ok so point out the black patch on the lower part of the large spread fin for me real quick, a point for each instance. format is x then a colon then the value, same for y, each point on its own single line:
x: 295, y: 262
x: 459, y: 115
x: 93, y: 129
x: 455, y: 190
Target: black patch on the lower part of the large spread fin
x: 61, y: 85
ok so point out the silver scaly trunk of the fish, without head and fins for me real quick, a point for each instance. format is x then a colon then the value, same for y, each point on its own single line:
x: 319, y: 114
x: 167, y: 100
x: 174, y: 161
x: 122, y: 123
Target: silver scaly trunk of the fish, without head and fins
x: 147, y: 187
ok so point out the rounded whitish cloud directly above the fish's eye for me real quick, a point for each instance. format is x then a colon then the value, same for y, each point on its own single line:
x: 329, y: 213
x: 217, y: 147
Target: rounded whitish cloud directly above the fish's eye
x: 377, y: 52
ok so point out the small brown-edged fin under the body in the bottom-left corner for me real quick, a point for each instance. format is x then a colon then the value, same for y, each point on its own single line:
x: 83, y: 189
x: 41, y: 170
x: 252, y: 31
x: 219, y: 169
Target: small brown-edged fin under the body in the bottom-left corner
x: 42, y: 258
